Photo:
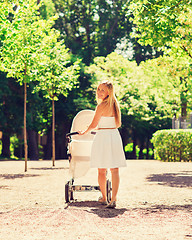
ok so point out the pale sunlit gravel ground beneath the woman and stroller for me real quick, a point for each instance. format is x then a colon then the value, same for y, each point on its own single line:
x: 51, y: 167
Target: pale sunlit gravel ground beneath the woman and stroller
x: 154, y: 203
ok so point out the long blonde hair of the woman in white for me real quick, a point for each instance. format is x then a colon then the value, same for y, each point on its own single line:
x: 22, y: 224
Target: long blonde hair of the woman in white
x: 111, y: 101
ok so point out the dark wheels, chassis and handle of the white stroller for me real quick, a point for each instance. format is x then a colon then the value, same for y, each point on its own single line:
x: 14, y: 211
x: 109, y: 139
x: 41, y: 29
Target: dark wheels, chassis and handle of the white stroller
x: 70, y: 188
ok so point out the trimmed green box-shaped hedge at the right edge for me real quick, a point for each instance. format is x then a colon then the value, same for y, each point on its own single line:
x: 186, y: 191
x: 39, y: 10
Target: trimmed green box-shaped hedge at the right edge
x: 173, y: 145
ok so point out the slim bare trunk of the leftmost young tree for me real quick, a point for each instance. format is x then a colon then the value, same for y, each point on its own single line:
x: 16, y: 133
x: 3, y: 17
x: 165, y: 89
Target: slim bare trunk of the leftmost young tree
x: 25, y: 127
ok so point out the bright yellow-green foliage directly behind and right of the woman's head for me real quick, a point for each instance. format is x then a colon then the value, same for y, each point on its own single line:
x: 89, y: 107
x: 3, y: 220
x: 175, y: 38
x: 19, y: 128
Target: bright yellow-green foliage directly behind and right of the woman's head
x: 135, y: 90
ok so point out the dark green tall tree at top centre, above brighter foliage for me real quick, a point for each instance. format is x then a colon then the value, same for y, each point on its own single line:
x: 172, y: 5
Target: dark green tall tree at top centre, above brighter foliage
x: 92, y: 28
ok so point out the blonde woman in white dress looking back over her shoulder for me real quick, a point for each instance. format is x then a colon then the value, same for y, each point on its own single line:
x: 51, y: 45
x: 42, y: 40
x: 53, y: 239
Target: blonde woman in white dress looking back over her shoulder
x: 107, y: 150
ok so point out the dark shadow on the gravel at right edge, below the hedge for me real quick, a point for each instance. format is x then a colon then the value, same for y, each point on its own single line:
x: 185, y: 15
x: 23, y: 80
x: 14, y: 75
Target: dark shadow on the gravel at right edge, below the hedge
x: 180, y: 179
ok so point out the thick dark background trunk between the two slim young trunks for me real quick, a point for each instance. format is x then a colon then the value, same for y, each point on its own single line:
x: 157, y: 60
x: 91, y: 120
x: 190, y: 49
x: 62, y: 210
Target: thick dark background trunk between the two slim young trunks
x: 33, y: 145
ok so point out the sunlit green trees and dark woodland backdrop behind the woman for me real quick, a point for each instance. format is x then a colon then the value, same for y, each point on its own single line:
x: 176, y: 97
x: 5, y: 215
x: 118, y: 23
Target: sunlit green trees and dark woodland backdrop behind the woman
x: 53, y: 53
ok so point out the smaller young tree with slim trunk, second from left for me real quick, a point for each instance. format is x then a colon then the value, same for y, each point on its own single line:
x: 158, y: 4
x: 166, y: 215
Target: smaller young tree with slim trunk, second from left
x: 57, y: 74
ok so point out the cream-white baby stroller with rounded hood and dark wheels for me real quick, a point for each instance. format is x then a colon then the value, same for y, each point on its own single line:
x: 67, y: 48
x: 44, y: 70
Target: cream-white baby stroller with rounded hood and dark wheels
x: 79, y: 152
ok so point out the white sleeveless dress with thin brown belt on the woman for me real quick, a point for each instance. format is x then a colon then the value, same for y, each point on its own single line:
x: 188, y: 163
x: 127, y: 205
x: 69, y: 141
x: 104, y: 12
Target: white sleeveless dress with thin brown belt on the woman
x: 107, y: 148
